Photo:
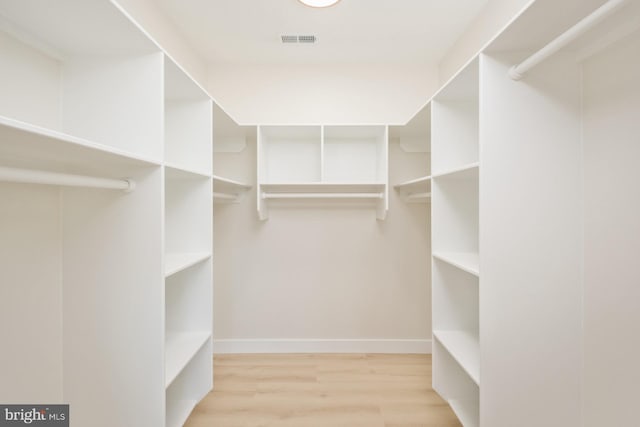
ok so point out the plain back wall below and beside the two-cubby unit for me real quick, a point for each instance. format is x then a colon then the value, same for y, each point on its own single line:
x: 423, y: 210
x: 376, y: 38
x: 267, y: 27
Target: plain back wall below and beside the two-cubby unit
x: 331, y: 274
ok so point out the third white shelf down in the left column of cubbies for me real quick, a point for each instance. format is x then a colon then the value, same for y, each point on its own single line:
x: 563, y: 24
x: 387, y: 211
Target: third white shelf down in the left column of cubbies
x: 179, y: 350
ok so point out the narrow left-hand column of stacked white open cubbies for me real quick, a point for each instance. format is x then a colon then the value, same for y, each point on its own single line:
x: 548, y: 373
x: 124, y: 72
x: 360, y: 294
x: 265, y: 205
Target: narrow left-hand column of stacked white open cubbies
x: 188, y: 244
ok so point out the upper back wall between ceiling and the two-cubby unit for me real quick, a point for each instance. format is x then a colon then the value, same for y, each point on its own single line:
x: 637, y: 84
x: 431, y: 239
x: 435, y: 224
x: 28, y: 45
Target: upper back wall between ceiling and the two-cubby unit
x: 268, y: 94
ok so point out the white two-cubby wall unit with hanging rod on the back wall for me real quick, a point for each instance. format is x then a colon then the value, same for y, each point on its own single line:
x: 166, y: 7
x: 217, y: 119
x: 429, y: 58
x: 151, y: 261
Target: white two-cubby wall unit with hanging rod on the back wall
x: 339, y: 163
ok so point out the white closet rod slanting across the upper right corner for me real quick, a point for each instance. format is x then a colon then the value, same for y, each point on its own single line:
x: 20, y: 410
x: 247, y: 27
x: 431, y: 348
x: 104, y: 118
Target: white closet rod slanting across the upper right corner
x: 517, y: 72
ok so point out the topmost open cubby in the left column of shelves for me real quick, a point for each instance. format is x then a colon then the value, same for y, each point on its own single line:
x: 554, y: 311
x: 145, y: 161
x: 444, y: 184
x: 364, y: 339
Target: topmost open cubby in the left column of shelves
x: 188, y: 118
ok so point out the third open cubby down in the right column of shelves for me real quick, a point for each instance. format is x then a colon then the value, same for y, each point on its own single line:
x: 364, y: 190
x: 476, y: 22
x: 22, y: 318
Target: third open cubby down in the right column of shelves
x: 456, y: 315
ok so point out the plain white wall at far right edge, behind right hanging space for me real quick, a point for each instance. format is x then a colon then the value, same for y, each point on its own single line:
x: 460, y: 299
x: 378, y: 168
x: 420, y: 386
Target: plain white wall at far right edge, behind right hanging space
x: 612, y: 235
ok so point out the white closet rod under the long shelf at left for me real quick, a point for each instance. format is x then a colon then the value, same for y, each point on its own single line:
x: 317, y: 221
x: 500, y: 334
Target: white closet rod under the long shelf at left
x: 30, y: 176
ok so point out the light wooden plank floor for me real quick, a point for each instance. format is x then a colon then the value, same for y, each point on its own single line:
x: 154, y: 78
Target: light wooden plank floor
x: 313, y: 390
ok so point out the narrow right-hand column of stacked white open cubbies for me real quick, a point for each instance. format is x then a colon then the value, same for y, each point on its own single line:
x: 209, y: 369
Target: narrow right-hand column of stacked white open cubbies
x: 455, y: 231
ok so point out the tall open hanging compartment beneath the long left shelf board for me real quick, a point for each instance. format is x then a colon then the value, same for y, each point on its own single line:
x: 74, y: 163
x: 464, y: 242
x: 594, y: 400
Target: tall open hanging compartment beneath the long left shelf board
x: 89, y: 306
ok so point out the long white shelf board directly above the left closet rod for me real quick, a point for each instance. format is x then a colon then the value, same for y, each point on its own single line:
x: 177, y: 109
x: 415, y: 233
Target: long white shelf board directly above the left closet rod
x: 29, y: 146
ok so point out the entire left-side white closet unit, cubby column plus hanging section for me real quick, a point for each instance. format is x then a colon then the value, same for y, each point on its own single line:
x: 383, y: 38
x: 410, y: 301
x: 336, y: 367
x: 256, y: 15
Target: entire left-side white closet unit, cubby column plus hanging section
x: 86, y: 100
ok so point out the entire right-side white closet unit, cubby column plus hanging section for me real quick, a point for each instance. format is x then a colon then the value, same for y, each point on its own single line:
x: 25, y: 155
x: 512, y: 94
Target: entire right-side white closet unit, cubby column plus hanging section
x: 556, y: 92
